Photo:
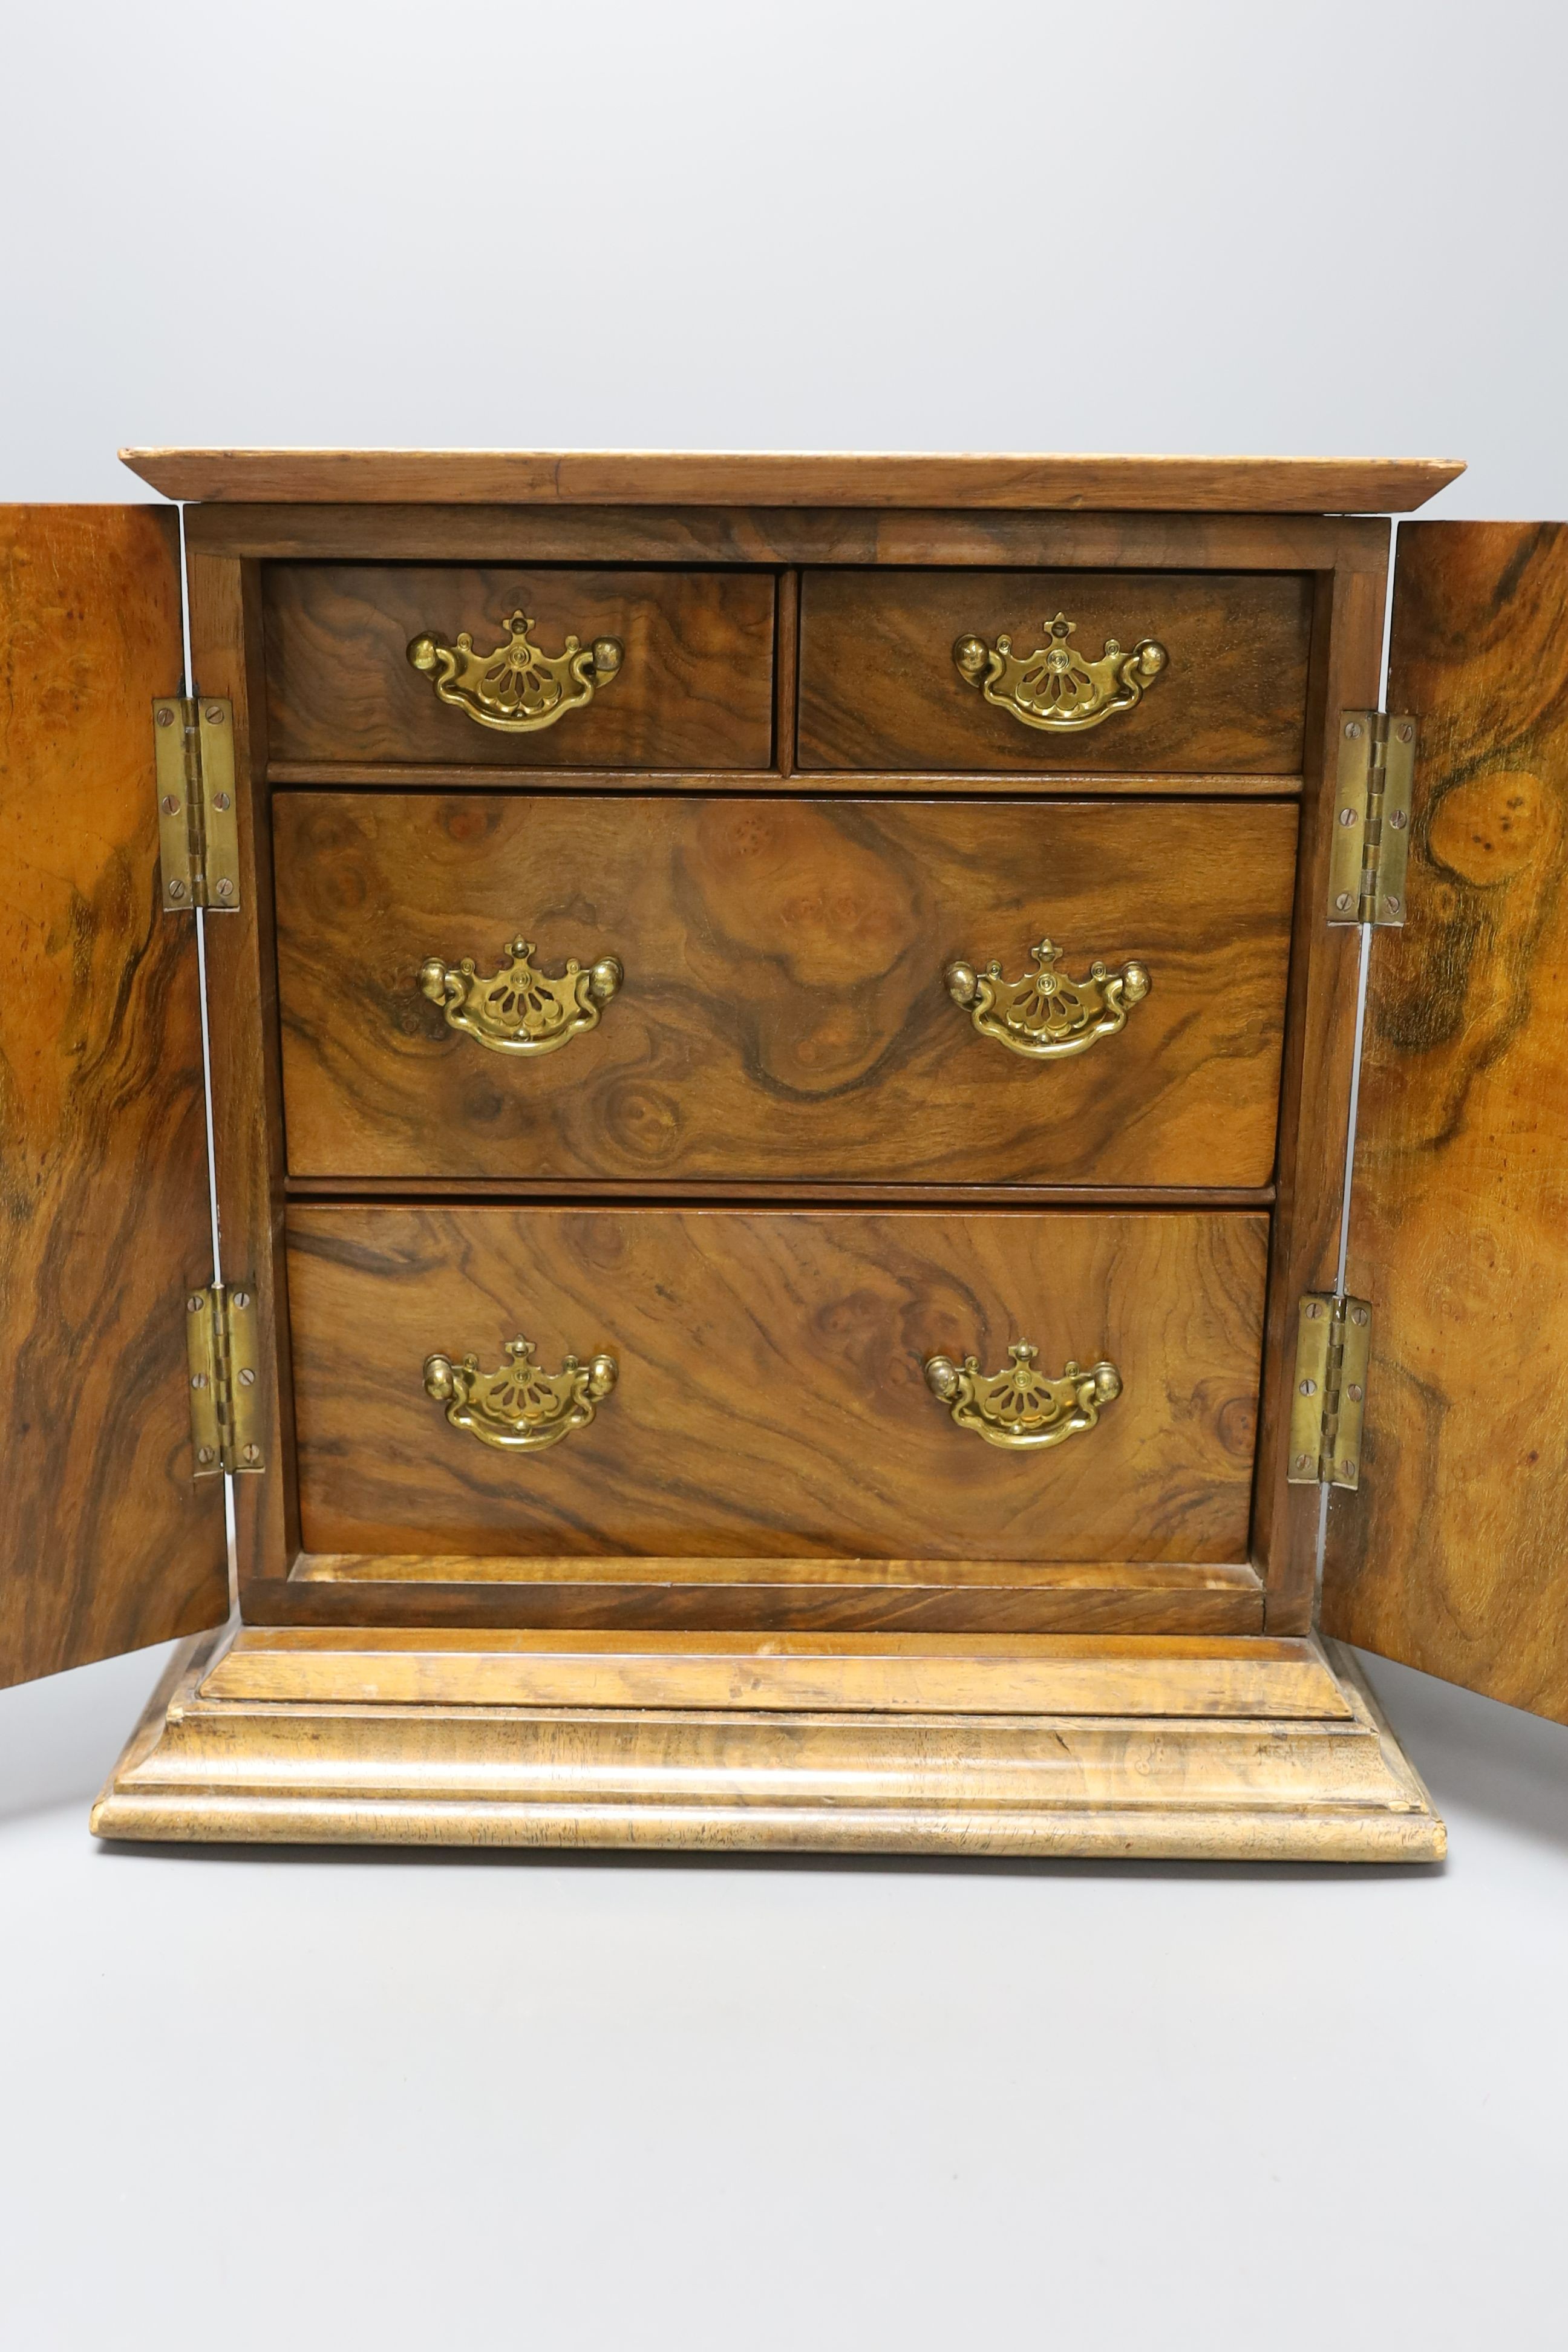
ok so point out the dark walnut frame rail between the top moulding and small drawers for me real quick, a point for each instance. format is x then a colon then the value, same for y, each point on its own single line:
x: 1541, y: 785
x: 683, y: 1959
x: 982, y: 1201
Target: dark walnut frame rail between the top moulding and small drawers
x: 777, y: 537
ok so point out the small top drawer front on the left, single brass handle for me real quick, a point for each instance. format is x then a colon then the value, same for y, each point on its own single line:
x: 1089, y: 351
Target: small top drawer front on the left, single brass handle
x: 692, y: 688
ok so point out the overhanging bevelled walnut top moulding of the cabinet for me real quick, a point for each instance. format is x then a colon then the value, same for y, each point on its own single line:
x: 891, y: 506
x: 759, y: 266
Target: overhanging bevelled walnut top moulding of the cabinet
x: 1285, y: 486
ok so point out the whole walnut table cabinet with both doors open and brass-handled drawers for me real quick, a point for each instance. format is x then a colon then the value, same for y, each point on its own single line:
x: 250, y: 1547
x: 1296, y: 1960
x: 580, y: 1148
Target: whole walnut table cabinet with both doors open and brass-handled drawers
x: 885, y: 1142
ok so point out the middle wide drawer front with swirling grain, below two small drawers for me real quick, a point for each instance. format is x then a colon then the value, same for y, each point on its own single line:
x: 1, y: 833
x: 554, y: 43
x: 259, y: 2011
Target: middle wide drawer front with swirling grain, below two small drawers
x: 784, y: 1010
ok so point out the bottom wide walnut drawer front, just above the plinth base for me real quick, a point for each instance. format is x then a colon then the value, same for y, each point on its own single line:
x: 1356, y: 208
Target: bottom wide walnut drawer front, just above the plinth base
x: 772, y: 1396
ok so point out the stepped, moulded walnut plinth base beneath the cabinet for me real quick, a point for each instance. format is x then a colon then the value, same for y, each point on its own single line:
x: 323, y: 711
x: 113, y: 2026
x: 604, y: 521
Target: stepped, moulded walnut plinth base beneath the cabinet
x: 1191, y: 1749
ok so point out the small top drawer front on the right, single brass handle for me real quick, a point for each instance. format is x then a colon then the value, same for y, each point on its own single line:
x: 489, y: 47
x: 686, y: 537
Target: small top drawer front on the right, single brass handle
x: 880, y: 686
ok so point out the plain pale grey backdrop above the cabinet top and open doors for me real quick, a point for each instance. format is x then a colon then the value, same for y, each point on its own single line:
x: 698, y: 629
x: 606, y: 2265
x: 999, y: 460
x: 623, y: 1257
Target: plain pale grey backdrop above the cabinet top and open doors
x: 1158, y: 227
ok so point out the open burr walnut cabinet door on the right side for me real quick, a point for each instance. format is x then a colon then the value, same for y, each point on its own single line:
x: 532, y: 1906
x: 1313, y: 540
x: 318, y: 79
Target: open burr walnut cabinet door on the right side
x: 1454, y: 1556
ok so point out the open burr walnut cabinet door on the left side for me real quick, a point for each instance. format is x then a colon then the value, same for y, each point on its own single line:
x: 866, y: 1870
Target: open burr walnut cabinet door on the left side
x: 107, y: 1542
